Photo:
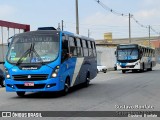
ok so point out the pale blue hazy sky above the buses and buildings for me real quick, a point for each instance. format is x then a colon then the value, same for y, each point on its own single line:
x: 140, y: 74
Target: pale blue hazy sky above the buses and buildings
x: 92, y: 16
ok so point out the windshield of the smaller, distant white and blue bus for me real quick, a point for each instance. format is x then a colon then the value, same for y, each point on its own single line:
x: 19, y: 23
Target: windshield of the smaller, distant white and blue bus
x: 127, y: 54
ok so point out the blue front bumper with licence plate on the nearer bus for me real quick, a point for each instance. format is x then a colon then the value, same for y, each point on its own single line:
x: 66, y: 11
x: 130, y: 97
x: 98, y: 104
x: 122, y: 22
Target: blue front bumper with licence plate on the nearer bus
x: 52, y: 84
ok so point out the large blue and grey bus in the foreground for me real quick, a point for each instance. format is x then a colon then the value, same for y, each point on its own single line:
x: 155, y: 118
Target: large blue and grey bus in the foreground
x: 49, y: 60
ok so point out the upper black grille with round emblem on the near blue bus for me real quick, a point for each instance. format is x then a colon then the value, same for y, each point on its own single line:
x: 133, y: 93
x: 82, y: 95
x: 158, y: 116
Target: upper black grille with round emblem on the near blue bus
x: 32, y: 77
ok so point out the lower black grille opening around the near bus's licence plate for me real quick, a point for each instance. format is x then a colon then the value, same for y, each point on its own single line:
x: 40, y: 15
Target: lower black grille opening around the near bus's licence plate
x: 36, y: 86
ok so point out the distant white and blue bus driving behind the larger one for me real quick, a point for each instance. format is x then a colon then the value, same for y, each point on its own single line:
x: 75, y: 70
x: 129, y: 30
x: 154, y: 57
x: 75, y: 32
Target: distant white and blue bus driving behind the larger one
x: 135, y: 57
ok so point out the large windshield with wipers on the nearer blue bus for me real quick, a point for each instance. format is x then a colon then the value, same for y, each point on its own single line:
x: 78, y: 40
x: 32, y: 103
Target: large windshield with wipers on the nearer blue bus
x: 33, y: 48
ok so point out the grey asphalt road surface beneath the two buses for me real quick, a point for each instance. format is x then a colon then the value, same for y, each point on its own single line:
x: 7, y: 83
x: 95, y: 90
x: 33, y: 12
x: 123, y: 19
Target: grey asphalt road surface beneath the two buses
x: 109, y: 91
